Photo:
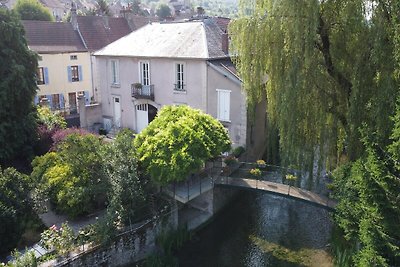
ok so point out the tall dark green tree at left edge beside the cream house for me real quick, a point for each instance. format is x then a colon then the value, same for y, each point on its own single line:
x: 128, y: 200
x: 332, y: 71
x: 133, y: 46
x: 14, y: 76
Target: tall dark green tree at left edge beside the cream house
x: 17, y: 89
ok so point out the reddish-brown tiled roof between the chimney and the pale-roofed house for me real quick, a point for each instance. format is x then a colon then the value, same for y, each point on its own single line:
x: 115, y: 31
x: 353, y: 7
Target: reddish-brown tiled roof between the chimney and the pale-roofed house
x: 99, y: 31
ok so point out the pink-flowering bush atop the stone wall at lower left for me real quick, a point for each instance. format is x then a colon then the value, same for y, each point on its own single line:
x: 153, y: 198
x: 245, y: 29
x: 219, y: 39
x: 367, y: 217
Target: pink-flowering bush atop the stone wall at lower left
x: 60, y: 239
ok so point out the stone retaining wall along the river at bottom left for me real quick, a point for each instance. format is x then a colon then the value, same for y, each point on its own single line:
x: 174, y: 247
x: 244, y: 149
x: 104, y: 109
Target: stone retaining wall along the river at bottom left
x: 128, y: 247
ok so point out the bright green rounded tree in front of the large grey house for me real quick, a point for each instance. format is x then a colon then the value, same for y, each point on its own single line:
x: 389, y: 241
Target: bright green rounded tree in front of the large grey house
x: 178, y: 142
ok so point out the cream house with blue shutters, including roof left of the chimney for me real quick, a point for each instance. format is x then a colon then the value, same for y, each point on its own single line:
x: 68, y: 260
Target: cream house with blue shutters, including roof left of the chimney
x: 64, y: 64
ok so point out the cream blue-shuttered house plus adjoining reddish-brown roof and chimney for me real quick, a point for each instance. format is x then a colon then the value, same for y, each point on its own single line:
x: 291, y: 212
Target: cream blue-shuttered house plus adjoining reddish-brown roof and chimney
x: 66, y: 64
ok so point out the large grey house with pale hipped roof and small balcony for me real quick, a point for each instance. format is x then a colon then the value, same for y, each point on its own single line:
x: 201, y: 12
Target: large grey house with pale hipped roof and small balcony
x: 161, y: 64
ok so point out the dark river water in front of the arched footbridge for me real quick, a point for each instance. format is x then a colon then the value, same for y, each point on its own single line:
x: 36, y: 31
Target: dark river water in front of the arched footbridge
x: 259, y: 229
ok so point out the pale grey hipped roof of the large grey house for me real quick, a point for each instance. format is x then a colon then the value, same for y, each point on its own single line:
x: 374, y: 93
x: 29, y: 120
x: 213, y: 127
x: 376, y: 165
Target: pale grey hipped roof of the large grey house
x: 194, y: 39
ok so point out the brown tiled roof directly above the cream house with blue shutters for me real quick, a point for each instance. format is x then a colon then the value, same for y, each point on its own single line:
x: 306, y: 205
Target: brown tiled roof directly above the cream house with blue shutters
x: 46, y: 36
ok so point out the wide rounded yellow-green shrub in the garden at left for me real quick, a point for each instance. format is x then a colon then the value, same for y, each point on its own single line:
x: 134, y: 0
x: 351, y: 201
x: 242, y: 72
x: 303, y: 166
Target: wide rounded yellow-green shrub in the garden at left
x: 72, y: 177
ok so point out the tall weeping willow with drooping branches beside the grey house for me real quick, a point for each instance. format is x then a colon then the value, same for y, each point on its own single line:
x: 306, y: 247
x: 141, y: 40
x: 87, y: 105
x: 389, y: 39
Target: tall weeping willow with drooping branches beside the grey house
x: 328, y: 67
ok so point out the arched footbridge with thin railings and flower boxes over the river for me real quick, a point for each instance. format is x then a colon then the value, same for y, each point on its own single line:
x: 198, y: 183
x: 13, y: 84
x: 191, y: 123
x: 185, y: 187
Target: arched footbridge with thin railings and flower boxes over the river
x: 270, y: 181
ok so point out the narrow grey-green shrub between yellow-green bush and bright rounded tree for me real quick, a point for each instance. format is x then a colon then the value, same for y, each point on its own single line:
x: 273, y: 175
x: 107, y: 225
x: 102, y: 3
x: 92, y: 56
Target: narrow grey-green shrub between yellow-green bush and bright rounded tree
x: 126, y: 194
